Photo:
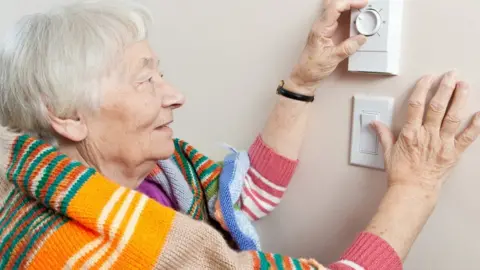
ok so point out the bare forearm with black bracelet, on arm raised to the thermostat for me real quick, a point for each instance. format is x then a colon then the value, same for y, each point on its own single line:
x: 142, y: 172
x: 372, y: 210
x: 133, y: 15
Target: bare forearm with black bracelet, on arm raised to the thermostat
x: 285, y: 128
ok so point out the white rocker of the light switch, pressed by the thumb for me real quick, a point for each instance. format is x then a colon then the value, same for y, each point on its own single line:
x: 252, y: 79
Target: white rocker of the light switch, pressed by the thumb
x: 368, y: 137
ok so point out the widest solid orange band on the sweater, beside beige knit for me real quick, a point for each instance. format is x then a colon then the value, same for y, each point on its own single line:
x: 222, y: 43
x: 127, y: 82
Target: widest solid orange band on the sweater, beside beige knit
x: 150, y: 234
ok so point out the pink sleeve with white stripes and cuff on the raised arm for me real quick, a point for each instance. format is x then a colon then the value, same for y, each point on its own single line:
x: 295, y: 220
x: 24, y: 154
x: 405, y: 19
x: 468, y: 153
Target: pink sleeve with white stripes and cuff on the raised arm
x: 266, y: 181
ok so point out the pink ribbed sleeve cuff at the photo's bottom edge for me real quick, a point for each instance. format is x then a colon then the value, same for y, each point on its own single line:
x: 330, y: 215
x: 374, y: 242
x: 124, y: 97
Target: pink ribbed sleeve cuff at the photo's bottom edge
x: 370, y: 252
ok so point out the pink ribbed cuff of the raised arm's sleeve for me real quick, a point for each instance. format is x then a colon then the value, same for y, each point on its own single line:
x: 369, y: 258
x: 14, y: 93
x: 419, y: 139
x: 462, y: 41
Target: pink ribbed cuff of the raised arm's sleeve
x: 274, y: 167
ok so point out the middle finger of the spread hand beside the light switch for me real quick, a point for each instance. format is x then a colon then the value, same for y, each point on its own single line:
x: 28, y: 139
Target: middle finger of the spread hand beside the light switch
x: 439, y: 103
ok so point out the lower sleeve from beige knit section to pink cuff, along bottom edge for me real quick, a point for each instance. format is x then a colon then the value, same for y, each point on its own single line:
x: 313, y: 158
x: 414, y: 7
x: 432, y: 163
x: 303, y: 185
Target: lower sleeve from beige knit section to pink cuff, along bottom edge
x: 194, y: 245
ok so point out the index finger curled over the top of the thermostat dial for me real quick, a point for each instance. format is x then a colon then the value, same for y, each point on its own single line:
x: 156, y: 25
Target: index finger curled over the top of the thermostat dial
x: 333, y: 11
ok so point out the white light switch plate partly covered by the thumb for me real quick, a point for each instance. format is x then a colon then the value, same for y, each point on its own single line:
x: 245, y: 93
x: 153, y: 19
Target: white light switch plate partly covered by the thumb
x: 365, y: 149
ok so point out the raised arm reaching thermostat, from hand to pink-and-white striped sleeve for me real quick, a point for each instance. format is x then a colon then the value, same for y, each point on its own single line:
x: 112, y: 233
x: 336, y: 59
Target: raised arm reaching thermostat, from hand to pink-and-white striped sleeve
x: 275, y: 152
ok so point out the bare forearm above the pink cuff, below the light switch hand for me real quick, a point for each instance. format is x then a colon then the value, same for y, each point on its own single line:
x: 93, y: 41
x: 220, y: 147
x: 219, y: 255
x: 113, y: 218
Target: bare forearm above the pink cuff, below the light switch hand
x: 401, y: 216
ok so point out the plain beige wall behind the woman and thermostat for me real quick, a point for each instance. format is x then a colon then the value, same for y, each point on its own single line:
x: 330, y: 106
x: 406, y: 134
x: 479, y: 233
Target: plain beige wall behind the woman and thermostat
x: 229, y: 65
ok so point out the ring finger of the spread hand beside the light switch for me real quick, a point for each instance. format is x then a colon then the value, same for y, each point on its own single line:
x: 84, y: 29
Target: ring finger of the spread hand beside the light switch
x: 453, y: 119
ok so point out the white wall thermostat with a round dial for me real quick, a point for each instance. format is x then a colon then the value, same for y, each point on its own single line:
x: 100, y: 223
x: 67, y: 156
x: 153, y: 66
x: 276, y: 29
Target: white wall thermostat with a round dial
x: 381, y: 22
